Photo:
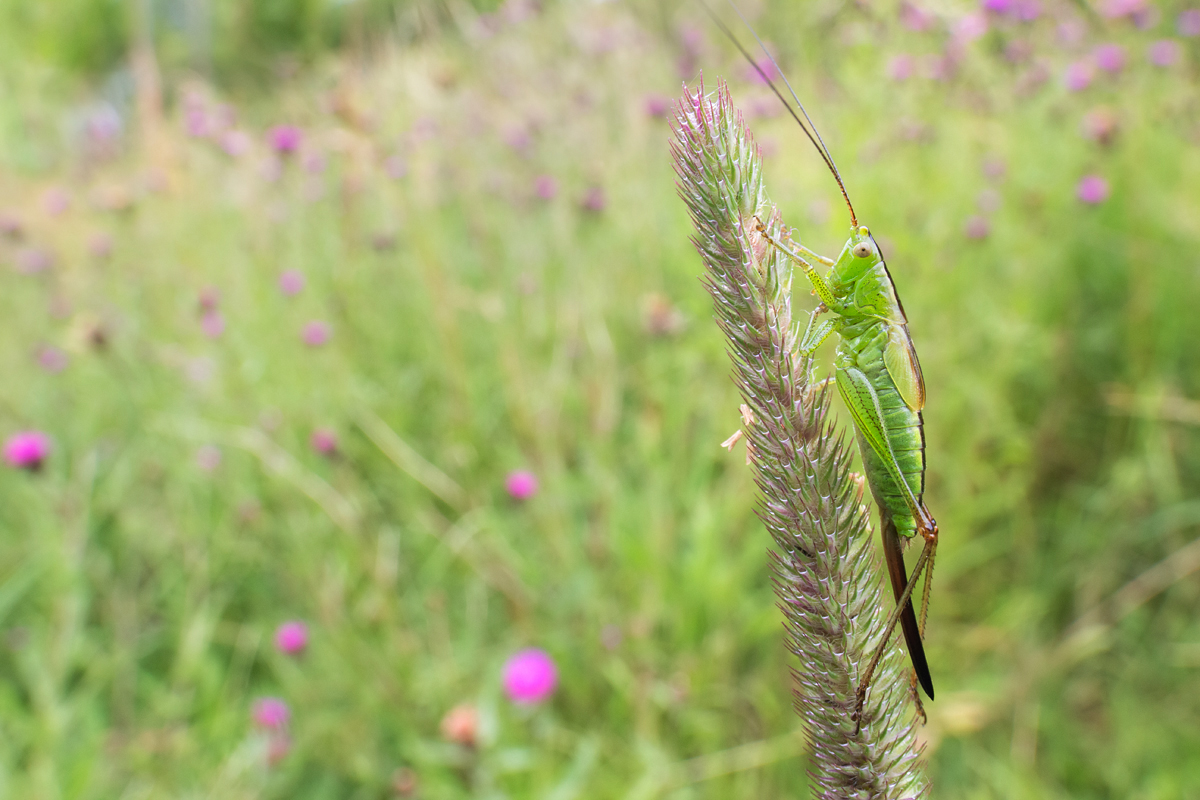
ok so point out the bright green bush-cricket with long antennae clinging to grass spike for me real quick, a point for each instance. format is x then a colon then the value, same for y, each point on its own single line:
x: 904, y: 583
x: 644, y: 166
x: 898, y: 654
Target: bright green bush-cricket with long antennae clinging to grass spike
x: 880, y: 381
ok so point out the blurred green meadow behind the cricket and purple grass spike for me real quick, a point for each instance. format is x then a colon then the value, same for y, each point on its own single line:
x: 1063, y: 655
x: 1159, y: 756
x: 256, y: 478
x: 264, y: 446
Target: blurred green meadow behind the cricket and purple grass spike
x: 291, y: 309
